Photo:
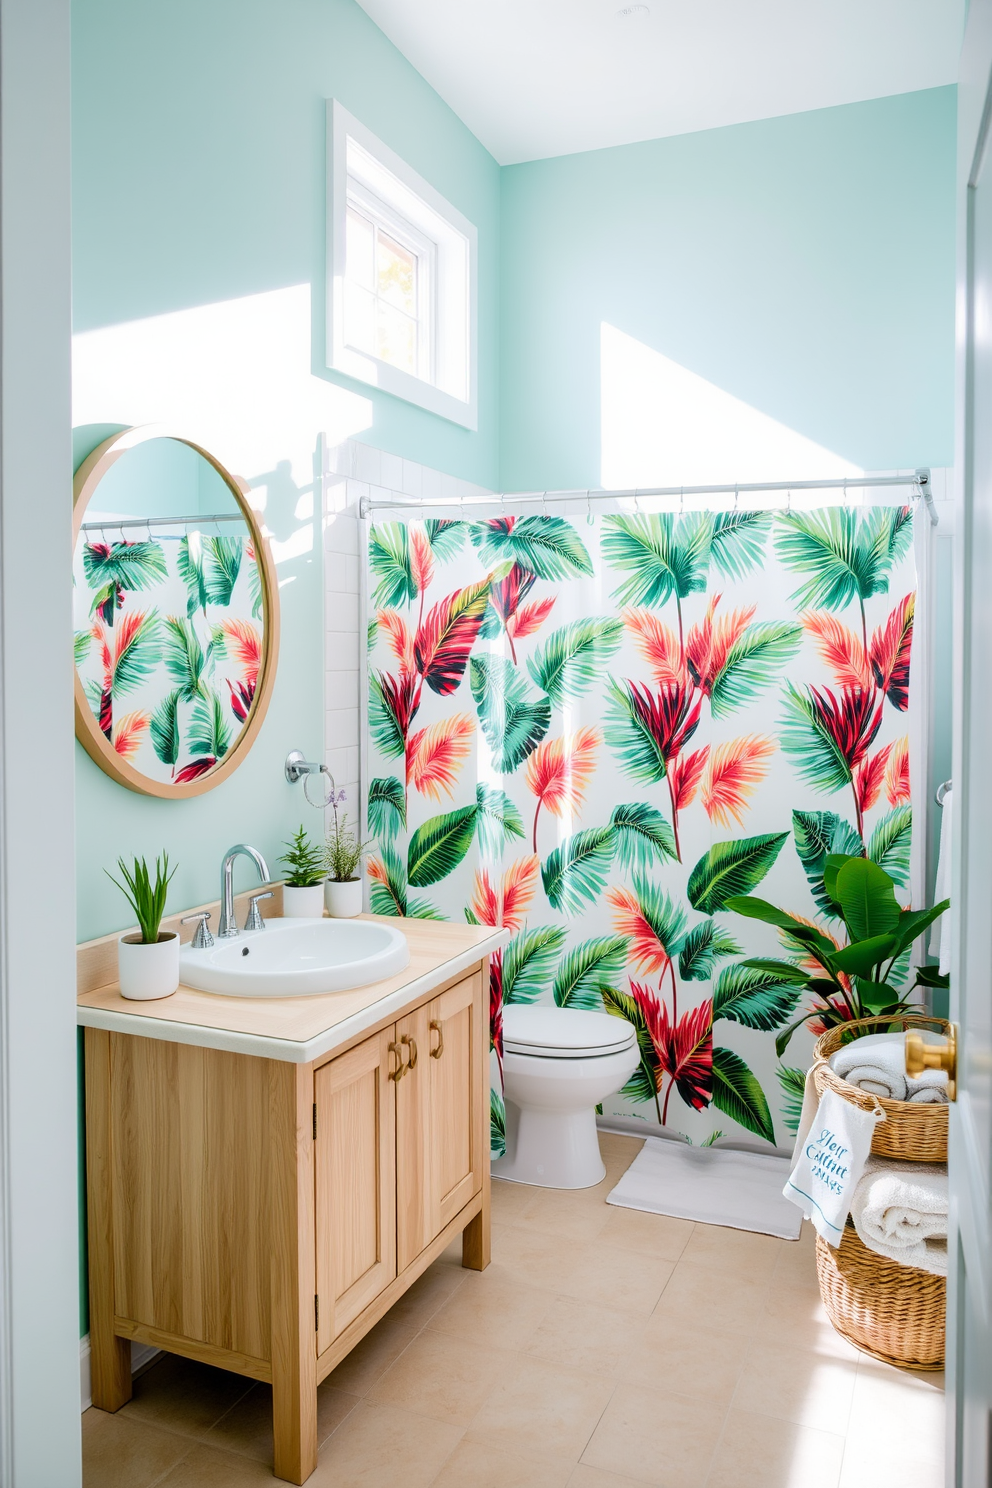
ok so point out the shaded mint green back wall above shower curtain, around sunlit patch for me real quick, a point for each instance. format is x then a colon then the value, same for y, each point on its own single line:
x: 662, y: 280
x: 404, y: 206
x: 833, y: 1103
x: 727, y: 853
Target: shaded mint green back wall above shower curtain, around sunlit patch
x: 805, y: 266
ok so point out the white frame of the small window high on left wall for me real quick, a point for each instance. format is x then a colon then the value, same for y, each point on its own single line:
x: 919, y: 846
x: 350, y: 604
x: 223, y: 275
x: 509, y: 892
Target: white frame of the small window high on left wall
x: 448, y: 248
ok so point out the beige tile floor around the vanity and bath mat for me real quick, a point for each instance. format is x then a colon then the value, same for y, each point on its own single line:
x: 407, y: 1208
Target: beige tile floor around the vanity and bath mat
x: 603, y: 1349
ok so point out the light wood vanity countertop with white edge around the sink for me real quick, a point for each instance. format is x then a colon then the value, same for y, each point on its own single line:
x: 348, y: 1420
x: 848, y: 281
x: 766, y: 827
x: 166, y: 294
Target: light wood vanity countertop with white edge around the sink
x: 295, y: 1029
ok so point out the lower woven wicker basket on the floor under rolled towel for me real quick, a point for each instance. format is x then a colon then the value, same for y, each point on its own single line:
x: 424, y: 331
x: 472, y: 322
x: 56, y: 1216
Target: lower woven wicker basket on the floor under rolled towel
x: 895, y: 1313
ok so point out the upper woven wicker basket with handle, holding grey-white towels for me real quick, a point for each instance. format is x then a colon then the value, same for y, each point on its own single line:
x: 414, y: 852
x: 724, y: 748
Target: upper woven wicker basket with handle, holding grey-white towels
x: 911, y: 1132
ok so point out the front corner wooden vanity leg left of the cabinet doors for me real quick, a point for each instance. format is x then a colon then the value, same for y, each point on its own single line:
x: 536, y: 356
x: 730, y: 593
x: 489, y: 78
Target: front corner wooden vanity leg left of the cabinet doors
x: 294, y: 1286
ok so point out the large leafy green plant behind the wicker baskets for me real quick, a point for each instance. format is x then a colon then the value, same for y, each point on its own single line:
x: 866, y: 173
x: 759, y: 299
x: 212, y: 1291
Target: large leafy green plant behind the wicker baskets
x: 854, y: 980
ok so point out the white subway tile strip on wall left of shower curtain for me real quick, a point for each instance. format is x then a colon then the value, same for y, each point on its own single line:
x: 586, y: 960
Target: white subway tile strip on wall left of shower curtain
x: 353, y: 472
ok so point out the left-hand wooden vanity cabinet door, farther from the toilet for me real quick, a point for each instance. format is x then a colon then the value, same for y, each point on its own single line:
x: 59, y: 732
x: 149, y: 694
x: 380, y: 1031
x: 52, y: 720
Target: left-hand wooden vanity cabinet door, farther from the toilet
x: 355, y: 1161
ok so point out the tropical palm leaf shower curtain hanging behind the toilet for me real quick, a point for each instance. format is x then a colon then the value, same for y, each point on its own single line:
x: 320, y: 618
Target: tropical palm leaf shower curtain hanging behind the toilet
x: 597, y: 731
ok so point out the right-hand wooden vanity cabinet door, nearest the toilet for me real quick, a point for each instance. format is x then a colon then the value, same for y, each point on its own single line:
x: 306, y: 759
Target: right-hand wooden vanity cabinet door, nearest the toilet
x: 441, y: 1115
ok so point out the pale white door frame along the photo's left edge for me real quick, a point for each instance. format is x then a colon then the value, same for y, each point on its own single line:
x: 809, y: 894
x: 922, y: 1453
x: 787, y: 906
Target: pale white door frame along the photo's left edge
x: 39, y: 1219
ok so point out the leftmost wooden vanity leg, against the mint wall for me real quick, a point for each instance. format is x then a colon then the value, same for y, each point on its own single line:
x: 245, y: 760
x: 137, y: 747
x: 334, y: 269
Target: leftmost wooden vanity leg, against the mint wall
x: 109, y: 1356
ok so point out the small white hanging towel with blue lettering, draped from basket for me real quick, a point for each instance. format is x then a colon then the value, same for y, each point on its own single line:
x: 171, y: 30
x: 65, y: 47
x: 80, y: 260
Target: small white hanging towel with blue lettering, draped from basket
x: 829, y: 1164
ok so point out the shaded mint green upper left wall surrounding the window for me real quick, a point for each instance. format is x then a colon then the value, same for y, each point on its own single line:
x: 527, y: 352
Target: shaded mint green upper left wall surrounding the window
x: 199, y: 155
